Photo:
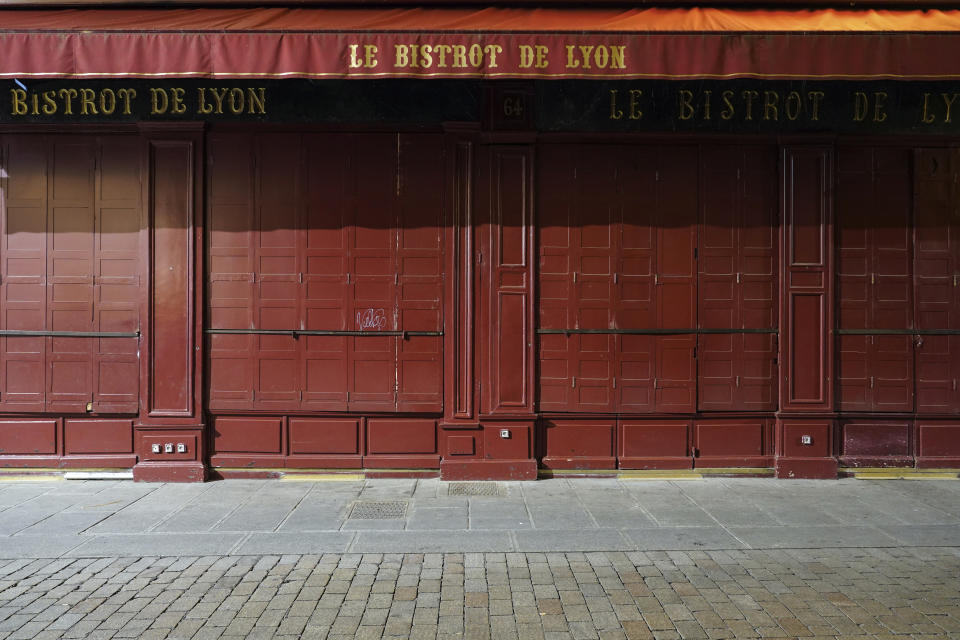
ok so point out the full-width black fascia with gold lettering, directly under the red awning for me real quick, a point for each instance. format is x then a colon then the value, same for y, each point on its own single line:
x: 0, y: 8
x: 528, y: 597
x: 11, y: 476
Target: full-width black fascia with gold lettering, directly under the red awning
x: 703, y: 106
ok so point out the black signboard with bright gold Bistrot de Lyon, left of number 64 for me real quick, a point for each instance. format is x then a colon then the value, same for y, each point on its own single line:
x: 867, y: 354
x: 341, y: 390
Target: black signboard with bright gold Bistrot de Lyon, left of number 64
x: 293, y: 101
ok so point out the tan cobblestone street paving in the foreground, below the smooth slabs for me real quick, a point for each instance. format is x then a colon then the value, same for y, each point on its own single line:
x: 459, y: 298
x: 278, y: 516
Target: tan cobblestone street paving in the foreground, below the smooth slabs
x: 844, y: 593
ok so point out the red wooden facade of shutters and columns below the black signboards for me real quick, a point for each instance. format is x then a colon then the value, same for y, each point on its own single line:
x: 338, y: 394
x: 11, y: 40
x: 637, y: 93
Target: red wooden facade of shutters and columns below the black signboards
x: 479, y: 303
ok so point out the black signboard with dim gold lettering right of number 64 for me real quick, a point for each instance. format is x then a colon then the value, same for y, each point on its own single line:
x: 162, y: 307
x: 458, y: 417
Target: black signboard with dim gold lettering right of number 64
x: 749, y: 106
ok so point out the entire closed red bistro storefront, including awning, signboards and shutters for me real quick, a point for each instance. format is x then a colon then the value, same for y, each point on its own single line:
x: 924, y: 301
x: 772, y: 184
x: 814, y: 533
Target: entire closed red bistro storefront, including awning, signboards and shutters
x: 479, y: 243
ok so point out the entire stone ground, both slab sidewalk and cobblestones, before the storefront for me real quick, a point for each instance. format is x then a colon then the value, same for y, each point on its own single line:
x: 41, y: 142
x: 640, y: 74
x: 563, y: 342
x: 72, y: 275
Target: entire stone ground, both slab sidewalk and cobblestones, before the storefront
x: 579, y: 559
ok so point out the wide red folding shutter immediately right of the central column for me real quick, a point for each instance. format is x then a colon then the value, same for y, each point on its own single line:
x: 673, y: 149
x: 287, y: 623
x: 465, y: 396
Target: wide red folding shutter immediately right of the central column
x: 617, y: 241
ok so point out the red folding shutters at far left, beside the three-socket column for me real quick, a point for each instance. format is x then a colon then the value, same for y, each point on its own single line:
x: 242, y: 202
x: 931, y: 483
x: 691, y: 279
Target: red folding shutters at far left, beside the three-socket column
x: 71, y: 247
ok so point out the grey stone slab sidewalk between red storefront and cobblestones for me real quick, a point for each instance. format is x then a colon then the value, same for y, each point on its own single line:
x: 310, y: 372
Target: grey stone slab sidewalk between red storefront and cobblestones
x: 112, y: 518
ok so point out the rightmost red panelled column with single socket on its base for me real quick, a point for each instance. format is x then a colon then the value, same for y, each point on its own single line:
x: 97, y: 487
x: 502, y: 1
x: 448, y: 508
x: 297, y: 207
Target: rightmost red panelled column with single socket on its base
x: 805, y: 438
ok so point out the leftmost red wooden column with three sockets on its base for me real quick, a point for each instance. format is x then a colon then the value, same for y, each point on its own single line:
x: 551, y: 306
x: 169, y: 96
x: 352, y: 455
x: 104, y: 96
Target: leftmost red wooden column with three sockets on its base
x: 171, y: 411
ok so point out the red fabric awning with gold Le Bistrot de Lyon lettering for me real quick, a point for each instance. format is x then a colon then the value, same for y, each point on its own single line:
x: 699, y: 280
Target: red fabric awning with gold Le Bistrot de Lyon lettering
x: 486, y: 43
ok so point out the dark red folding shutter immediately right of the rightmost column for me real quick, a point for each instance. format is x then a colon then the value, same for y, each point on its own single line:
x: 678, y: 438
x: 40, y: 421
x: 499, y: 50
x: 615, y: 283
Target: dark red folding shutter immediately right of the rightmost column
x: 875, y: 288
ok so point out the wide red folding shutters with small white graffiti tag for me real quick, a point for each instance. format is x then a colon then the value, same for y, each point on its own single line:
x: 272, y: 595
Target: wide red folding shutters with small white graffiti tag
x: 342, y: 234
